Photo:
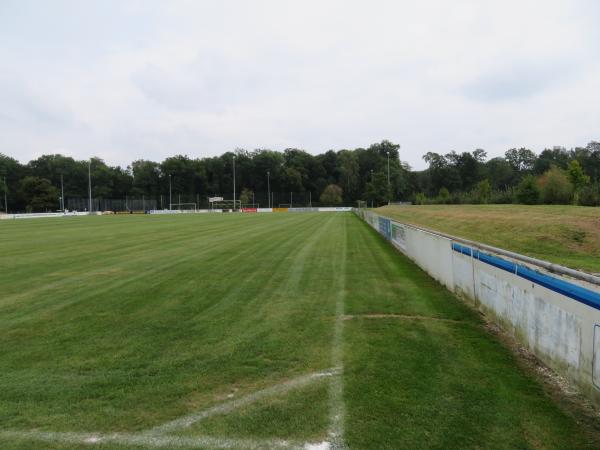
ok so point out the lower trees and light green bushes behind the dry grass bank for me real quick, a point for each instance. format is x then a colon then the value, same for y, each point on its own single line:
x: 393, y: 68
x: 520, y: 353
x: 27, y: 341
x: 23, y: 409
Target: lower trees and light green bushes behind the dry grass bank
x: 555, y: 176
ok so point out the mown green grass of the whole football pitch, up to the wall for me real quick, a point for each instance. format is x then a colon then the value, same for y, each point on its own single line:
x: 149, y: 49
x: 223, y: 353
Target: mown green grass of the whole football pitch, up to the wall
x: 122, y: 324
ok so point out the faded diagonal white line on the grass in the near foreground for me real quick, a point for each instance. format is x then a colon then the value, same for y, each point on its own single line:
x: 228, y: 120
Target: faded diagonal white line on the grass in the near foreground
x: 224, y: 408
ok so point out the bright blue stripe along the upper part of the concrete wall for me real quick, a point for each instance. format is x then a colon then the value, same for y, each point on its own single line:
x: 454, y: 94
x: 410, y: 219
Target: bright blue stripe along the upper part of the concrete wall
x: 562, y: 287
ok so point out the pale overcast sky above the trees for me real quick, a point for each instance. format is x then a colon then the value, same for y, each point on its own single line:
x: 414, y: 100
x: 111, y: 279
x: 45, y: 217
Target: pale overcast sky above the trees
x: 125, y: 80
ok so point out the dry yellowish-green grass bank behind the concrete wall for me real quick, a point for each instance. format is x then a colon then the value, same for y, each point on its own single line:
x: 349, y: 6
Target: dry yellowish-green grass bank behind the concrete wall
x: 566, y: 235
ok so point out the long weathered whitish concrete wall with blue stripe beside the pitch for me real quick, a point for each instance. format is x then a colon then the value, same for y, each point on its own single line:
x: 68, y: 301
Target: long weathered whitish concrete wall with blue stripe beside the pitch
x: 555, y: 316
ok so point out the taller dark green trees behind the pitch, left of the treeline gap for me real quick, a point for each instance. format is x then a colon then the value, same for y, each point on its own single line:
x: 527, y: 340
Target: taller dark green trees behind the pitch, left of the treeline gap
x: 35, y: 186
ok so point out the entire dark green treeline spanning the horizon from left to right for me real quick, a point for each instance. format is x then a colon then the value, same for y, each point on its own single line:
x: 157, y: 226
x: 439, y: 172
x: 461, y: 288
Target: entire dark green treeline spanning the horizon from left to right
x: 374, y: 174
